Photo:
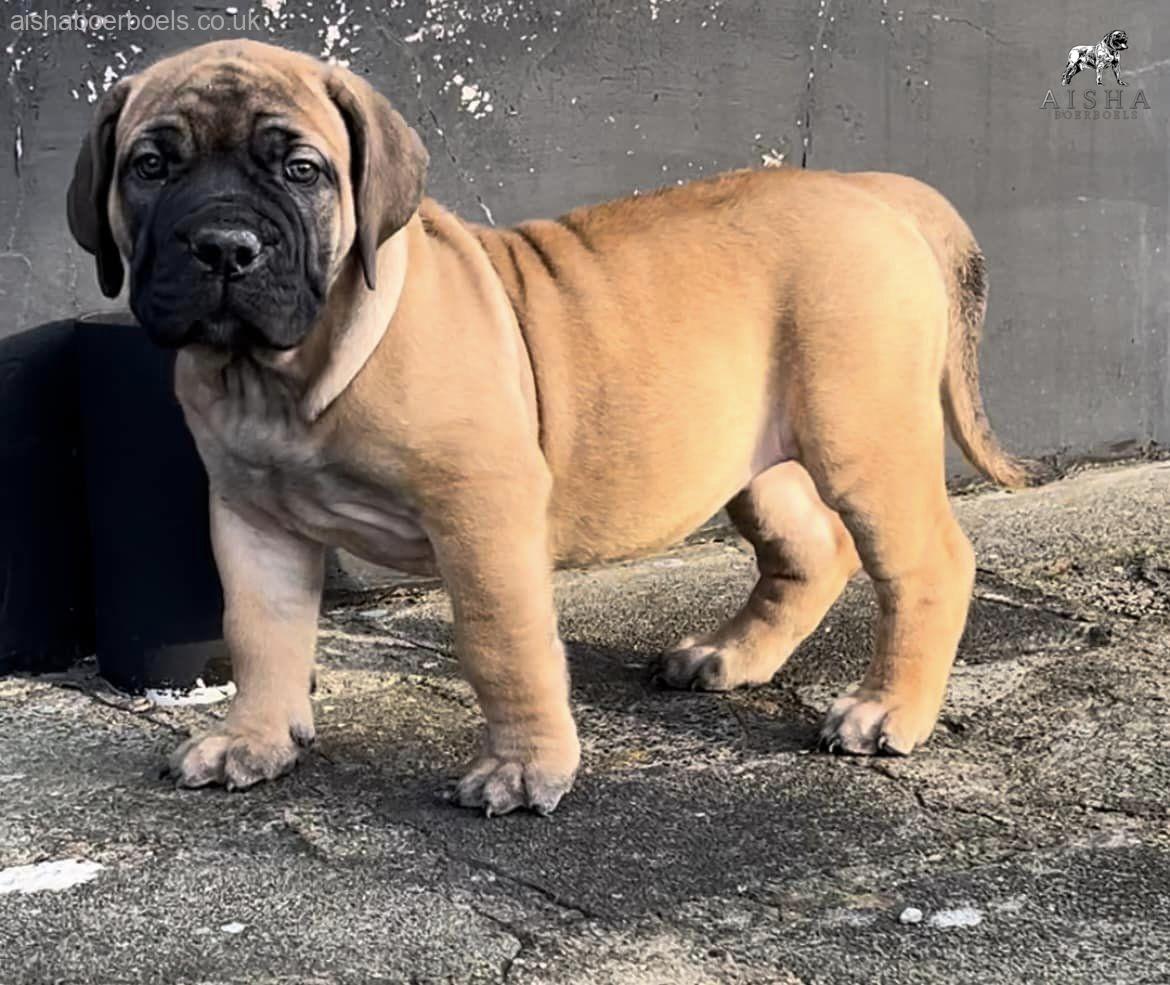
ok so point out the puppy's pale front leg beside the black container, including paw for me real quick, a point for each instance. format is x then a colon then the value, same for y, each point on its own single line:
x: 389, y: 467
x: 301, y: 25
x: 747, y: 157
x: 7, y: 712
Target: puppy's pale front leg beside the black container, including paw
x: 272, y: 594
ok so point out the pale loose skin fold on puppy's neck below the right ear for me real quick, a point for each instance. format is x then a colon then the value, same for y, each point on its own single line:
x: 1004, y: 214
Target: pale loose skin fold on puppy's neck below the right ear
x: 348, y: 333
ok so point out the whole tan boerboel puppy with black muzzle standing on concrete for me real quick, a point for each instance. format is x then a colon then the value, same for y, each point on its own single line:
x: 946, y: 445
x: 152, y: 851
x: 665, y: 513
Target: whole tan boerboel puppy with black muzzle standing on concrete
x: 363, y: 369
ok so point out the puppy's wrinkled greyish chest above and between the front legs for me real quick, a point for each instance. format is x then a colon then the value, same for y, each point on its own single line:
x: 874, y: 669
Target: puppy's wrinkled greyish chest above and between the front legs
x: 270, y: 465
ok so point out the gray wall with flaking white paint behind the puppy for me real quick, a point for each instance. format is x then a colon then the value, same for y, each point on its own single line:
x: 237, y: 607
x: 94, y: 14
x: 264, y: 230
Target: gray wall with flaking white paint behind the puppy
x: 595, y: 100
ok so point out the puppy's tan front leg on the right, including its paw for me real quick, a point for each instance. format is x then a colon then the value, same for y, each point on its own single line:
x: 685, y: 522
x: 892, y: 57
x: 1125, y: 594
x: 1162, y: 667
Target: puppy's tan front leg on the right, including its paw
x: 492, y: 546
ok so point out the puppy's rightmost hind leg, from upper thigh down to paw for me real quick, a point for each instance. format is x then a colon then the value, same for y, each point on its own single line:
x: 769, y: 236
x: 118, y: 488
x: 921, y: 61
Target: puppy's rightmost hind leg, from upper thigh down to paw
x: 870, y: 428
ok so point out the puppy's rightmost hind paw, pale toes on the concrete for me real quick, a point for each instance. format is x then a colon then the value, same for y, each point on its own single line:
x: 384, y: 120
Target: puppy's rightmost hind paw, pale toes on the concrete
x: 872, y: 724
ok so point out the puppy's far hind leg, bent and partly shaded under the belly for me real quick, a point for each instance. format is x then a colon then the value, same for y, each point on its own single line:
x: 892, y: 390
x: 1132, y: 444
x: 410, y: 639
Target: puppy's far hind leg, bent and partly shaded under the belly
x: 804, y: 555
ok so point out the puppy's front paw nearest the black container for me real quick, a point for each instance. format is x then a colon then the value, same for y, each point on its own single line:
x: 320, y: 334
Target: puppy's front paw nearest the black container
x: 238, y: 756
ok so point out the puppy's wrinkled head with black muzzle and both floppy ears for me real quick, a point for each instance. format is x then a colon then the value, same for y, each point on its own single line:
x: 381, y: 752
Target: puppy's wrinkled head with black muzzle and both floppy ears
x: 236, y: 181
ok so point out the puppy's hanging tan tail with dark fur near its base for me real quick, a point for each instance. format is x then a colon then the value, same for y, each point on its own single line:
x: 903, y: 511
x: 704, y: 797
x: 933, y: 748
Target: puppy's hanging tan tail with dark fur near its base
x: 962, y: 402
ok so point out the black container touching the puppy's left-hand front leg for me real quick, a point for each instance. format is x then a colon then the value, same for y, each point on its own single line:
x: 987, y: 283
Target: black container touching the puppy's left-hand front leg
x: 157, y: 600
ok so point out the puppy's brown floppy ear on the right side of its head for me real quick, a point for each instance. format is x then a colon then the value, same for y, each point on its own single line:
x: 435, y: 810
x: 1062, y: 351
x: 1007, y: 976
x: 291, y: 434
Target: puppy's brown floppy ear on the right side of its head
x: 388, y: 164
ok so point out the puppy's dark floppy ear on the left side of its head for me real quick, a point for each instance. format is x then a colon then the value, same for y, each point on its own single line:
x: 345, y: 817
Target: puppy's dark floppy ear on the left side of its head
x: 90, y: 191
